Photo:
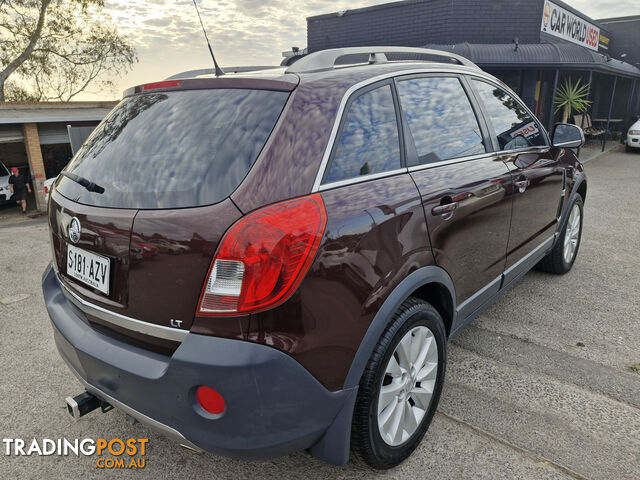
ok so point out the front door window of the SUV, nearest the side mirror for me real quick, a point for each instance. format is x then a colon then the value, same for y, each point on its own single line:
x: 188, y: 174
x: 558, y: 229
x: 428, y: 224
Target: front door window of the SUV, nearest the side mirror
x: 514, y: 127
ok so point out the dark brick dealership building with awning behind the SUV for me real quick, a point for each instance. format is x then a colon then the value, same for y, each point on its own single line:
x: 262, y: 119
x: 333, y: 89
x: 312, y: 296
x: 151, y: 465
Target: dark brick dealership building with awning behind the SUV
x: 531, y: 45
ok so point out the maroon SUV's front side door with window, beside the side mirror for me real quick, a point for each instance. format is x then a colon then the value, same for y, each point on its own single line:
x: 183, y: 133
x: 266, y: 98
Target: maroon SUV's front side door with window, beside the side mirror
x: 538, y: 178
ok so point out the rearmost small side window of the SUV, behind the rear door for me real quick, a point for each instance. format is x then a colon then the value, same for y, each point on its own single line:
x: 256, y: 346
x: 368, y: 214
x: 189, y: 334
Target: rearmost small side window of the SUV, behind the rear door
x: 369, y: 141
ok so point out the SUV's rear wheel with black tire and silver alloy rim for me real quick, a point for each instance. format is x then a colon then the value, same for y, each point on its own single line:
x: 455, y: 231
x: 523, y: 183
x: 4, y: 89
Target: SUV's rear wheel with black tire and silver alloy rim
x: 414, y: 321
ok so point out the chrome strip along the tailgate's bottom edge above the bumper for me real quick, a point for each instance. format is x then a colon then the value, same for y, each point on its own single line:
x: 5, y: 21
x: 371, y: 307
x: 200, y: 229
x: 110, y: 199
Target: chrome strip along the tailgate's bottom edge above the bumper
x: 158, y: 331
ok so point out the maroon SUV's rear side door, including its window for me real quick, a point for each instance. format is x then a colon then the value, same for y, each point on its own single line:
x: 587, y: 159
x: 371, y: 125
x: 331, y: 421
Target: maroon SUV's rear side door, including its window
x: 462, y: 184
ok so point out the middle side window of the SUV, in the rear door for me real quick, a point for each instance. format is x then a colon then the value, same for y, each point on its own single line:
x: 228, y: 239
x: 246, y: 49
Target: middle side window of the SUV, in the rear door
x: 441, y: 120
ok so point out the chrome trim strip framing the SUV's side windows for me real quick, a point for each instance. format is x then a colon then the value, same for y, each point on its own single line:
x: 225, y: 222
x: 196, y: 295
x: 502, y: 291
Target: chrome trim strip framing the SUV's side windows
x: 317, y: 184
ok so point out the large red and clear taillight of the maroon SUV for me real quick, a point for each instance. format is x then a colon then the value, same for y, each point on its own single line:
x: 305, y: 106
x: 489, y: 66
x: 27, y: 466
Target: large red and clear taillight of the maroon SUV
x: 263, y: 257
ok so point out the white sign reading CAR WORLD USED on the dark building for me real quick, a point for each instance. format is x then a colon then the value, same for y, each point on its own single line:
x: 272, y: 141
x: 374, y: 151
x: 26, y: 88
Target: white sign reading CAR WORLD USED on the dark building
x: 562, y: 23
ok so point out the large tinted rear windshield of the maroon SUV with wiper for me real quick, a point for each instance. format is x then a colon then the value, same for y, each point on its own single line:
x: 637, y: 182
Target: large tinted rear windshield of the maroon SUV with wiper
x: 173, y: 150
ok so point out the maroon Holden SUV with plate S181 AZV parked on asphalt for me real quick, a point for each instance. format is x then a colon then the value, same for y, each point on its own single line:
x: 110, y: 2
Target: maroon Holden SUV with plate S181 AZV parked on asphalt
x: 267, y: 262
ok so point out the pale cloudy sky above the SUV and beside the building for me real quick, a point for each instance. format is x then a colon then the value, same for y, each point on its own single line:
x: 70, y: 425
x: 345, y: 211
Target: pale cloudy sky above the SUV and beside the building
x: 168, y: 38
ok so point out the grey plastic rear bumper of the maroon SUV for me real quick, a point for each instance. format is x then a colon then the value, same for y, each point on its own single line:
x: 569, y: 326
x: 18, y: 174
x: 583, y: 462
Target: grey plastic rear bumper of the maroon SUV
x: 274, y: 405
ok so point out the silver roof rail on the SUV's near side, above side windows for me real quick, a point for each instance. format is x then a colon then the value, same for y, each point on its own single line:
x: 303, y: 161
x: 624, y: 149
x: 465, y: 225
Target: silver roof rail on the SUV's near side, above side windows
x: 326, y: 59
